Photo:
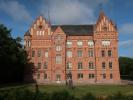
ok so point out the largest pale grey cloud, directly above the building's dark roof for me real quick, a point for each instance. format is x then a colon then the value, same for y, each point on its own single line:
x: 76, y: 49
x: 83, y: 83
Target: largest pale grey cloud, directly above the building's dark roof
x: 71, y: 11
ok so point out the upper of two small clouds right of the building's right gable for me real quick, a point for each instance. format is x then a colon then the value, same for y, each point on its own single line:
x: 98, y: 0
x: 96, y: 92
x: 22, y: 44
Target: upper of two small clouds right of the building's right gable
x: 126, y: 28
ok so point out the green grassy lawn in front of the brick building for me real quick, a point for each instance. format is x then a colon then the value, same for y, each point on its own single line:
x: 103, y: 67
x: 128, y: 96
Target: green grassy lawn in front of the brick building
x: 98, y: 90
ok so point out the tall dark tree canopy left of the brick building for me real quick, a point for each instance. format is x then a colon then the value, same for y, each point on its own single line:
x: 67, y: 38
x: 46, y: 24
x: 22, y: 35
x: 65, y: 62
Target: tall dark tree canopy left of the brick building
x: 12, y: 57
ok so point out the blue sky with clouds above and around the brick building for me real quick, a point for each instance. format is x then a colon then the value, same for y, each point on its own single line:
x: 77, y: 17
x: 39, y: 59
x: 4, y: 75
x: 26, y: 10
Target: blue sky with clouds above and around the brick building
x: 18, y: 15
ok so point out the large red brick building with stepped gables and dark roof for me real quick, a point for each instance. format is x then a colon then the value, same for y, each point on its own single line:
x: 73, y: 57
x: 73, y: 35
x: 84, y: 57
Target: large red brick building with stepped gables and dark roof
x: 88, y: 52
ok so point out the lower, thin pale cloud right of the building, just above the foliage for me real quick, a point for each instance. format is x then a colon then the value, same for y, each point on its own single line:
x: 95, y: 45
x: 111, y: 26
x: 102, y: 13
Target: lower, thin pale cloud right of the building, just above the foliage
x: 126, y: 44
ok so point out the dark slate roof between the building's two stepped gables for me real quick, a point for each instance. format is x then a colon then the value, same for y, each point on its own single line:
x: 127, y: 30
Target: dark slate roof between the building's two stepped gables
x: 75, y: 30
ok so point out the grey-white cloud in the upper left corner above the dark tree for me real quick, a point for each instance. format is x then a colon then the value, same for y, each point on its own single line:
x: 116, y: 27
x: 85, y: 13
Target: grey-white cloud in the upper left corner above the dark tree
x: 16, y: 10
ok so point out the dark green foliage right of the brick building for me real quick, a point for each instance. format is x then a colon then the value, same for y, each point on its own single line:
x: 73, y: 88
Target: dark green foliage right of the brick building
x: 126, y: 68
